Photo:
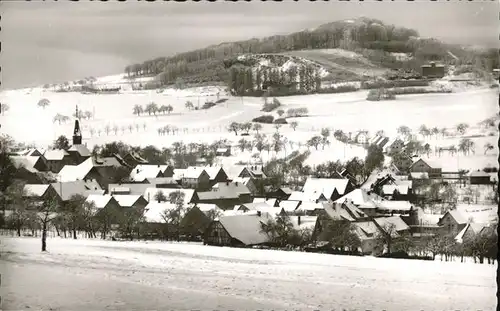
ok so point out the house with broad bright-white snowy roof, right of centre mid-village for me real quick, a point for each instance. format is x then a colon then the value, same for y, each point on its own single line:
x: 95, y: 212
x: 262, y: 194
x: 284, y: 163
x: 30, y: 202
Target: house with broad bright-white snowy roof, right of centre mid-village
x: 331, y: 188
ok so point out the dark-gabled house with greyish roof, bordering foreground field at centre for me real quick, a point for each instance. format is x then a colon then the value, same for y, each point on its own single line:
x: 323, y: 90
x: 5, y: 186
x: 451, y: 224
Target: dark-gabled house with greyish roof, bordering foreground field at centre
x: 237, y: 230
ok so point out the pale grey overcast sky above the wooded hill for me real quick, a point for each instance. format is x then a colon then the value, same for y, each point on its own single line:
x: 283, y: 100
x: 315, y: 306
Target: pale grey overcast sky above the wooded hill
x: 50, y: 42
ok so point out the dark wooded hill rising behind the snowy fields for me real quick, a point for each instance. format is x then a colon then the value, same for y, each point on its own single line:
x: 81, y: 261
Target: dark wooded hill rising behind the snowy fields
x: 380, y: 46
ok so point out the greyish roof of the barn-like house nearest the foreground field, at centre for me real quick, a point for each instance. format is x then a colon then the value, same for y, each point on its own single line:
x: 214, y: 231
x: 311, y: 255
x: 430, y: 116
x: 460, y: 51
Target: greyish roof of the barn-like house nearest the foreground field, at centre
x: 246, y: 228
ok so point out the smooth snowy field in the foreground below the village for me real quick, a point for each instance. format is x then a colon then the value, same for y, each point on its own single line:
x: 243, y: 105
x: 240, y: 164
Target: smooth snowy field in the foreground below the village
x: 103, y: 275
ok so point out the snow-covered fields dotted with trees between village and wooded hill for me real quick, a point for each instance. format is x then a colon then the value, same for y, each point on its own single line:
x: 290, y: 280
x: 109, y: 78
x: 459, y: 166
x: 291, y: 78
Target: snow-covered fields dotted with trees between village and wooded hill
x: 349, y: 112
